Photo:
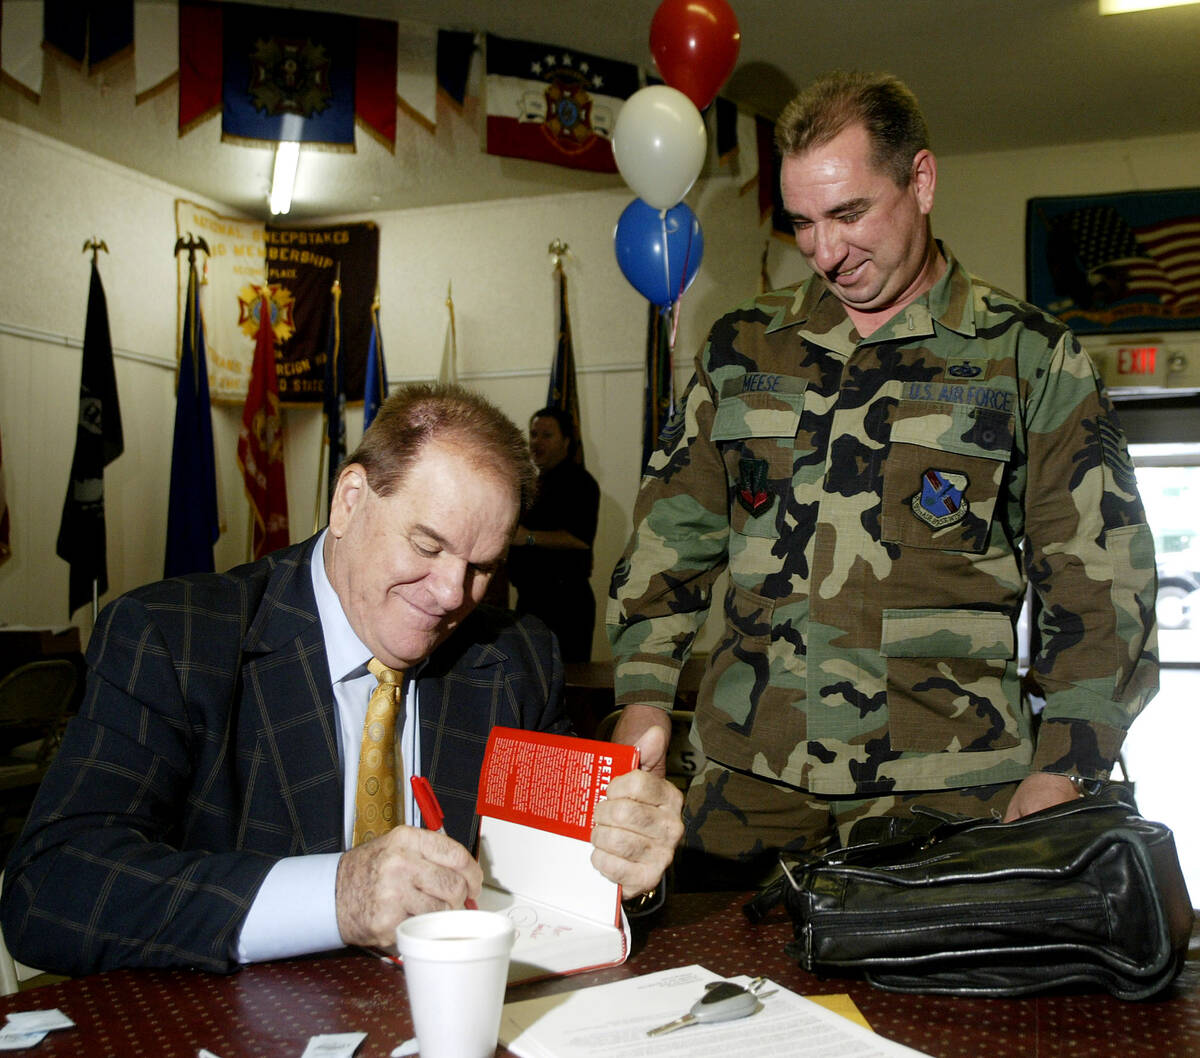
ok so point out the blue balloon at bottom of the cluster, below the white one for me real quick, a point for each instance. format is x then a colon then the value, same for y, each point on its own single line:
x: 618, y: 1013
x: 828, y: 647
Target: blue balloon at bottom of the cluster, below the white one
x: 659, y: 253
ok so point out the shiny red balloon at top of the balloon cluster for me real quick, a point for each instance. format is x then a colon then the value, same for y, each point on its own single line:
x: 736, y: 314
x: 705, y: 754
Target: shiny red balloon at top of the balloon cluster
x: 695, y: 46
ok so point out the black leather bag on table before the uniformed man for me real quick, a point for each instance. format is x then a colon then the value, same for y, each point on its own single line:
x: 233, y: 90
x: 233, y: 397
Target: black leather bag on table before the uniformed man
x: 1085, y: 895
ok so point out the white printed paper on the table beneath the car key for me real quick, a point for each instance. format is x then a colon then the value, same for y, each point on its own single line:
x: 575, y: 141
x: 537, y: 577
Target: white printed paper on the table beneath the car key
x: 611, y: 1021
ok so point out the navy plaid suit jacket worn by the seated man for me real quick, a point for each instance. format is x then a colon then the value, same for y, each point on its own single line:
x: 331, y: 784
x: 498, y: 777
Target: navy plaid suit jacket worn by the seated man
x: 206, y: 750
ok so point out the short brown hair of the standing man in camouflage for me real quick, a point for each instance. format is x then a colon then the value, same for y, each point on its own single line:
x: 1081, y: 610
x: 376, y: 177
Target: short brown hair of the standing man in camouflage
x: 884, y: 105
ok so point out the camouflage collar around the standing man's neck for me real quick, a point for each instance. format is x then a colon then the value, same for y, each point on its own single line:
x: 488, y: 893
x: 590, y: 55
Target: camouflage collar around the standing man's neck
x: 950, y: 303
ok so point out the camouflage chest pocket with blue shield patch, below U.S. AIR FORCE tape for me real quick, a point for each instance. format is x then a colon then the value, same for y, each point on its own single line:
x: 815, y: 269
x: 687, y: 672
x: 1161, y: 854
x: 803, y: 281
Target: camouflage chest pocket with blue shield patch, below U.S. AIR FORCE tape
x: 943, y: 474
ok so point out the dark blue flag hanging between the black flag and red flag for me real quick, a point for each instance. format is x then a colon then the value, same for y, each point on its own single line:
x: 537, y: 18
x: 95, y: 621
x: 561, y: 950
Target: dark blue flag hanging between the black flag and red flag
x: 193, y: 524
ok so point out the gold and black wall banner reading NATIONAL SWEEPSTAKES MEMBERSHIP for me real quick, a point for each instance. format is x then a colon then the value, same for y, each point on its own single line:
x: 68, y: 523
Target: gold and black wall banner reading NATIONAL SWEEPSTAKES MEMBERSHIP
x: 297, y: 267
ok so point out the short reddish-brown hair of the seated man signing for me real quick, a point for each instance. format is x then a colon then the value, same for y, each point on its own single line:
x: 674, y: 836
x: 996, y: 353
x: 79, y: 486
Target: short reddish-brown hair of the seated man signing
x: 416, y: 416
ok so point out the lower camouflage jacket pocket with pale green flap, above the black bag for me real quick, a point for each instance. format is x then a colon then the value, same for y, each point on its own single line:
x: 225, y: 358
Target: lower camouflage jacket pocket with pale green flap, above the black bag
x: 952, y: 681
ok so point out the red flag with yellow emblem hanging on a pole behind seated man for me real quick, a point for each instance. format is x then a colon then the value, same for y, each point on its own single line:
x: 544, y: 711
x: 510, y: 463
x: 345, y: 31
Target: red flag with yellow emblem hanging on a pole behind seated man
x: 261, y: 443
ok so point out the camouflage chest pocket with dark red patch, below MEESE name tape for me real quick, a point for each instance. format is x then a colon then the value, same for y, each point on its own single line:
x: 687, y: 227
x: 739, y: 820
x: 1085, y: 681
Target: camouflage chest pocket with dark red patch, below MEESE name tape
x: 755, y: 432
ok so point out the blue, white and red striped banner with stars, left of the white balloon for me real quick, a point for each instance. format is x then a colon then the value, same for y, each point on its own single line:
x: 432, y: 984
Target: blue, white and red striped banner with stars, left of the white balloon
x: 555, y: 105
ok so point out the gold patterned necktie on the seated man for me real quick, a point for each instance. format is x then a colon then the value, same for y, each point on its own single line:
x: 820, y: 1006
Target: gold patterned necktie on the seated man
x: 377, y: 807
